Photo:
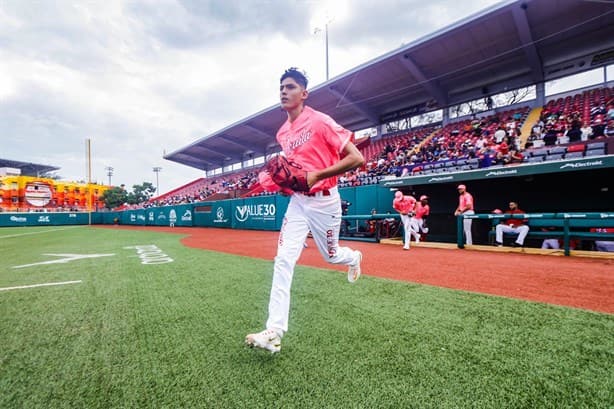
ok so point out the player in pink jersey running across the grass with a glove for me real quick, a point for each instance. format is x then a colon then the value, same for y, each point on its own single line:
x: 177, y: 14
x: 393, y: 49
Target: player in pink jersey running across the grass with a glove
x: 316, y: 143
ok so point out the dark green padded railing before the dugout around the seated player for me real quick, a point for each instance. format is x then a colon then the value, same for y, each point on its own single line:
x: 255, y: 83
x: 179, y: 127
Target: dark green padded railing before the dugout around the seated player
x: 564, y: 226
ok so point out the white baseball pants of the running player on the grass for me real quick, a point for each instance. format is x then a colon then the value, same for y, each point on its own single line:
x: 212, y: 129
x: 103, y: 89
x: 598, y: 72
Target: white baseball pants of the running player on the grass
x: 322, y: 216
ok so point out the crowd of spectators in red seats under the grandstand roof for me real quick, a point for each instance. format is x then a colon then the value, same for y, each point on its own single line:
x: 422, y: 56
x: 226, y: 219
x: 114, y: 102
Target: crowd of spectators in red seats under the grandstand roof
x: 492, y: 140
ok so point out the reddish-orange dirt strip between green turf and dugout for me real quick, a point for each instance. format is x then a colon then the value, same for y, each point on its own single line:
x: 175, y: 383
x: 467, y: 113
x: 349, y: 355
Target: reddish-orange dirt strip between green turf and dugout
x: 577, y: 282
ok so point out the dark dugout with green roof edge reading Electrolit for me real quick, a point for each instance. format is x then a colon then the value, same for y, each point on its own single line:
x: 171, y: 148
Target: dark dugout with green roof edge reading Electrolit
x: 584, y: 185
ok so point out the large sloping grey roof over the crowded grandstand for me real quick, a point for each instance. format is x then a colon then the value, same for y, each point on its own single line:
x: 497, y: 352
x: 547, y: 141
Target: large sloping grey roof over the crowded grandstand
x: 507, y: 46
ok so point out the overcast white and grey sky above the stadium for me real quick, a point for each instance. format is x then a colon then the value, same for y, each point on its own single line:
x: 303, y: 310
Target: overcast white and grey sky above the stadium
x: 142, y: 77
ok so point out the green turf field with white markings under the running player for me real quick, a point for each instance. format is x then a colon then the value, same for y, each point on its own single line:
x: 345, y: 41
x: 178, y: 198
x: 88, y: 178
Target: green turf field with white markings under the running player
x: 133, y: 335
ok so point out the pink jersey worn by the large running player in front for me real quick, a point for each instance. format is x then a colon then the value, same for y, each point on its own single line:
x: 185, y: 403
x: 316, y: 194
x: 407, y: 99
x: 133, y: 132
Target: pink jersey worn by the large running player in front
x: 314, y: 141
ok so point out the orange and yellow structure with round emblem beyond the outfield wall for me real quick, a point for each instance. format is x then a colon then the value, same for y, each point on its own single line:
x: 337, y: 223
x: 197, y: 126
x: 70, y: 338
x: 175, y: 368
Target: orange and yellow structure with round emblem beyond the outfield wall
x: 28, y: 193
